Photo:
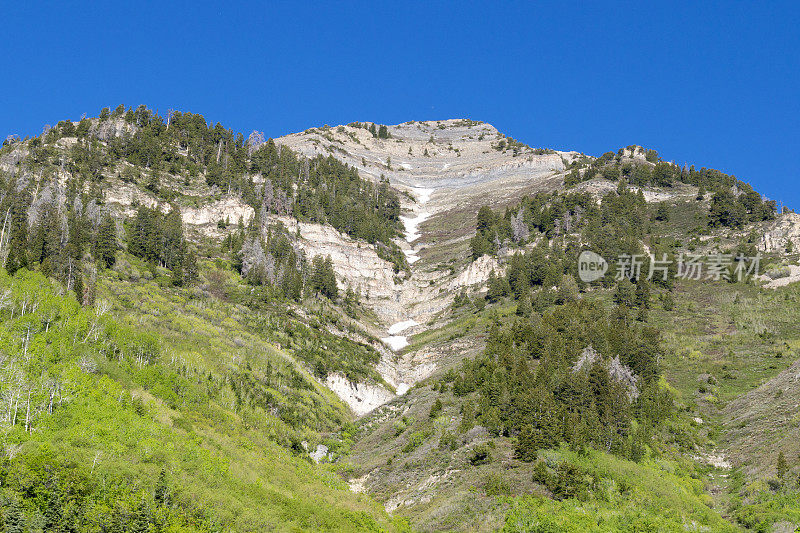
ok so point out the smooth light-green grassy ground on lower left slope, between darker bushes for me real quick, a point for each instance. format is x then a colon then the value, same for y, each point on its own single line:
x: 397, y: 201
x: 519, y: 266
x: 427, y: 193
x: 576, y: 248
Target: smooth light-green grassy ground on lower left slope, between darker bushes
x: 125, y: 422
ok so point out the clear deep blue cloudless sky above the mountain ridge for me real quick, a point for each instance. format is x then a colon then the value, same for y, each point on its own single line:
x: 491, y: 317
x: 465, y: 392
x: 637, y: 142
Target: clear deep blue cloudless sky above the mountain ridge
x: 714, y: 84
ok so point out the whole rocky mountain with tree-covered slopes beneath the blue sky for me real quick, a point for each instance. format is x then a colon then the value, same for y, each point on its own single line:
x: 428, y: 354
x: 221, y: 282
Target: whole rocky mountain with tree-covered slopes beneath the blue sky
x: 212, y: 332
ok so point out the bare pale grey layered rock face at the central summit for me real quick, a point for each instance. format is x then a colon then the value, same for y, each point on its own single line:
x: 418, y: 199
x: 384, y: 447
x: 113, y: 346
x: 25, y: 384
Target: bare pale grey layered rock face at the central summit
x: 443, y: 154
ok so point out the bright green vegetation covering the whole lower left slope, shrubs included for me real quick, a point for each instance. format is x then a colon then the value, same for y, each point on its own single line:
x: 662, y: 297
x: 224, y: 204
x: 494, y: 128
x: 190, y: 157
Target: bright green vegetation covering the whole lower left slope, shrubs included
x: 110, y: 427
